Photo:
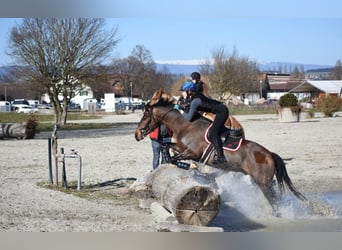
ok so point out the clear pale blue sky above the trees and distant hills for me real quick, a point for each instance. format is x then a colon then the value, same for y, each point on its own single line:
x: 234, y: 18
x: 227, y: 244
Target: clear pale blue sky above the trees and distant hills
x: 295, y: 31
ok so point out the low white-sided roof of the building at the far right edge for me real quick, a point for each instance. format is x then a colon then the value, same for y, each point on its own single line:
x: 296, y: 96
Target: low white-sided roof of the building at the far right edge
x: 329, y: 87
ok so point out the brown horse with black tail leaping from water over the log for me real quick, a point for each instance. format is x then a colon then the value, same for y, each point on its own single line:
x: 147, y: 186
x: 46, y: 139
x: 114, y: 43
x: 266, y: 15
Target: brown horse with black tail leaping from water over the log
x: 251, y: 158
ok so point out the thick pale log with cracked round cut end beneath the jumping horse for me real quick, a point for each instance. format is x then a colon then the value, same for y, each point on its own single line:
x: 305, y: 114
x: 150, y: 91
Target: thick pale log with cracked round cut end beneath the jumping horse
x: 189, y: 195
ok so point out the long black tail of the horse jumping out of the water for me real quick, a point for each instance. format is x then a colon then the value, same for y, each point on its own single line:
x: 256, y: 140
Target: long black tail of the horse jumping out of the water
x: 282, y: 176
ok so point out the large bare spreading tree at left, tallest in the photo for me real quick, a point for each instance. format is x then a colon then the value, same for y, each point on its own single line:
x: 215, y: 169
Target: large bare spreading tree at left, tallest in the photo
x: 58, y: 52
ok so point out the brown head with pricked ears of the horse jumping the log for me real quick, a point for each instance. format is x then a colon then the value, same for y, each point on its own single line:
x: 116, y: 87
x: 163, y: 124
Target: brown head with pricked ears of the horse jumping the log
x: 152, y: 118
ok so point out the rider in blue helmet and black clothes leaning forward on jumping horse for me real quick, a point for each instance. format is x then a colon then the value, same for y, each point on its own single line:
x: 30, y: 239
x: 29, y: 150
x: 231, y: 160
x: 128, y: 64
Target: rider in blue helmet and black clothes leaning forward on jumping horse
x: 199, y: 102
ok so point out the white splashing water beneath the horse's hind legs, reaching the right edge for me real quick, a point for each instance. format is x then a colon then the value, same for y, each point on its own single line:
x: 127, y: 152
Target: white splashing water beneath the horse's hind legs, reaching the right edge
x: 240, y: 192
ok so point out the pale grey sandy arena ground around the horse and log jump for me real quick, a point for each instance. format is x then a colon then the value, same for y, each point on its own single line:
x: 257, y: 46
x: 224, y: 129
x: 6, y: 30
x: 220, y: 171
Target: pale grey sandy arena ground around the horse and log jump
x: 311, y: 148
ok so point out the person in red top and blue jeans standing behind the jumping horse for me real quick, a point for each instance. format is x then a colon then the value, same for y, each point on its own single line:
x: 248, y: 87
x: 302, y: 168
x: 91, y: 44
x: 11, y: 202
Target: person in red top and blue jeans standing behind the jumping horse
x: 159, y: 147
